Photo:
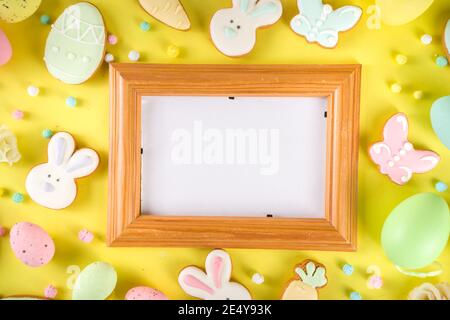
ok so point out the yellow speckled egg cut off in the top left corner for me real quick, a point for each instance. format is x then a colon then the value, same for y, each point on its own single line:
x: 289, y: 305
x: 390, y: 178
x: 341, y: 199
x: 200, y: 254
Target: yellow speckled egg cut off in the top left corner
x: 17, y: 10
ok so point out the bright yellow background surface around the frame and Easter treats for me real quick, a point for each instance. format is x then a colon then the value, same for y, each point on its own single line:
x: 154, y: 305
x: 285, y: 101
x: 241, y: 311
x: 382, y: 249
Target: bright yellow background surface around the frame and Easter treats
x: 88, y: 122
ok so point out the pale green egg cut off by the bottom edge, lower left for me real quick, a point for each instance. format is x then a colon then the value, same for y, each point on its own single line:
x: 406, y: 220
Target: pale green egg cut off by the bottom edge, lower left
x: 96, y: 282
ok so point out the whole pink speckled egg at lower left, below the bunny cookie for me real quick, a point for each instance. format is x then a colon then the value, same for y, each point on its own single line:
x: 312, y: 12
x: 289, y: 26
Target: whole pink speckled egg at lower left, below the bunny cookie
x: 31, y: 244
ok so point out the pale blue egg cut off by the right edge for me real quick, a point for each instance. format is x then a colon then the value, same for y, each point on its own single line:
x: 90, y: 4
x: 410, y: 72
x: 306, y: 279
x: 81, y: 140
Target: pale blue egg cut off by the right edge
x: 440, y: 119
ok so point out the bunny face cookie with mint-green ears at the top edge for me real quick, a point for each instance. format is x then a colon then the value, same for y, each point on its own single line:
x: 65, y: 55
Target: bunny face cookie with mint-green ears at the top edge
x: 233, y: 30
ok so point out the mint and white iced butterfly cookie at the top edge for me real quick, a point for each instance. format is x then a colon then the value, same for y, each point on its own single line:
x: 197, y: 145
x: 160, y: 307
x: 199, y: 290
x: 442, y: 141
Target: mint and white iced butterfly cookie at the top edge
x: 318, y: 22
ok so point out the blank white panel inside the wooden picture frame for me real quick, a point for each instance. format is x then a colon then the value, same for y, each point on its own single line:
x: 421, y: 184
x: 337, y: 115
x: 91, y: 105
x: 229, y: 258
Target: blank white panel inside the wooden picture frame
x: 249, y: 157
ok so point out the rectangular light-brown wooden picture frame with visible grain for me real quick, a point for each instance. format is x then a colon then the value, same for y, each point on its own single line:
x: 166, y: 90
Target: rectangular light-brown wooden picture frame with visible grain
x: 130, y: 82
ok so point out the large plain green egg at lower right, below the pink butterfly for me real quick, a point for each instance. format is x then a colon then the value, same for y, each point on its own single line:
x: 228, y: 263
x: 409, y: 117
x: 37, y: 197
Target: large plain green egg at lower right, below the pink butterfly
x: 416, y: 232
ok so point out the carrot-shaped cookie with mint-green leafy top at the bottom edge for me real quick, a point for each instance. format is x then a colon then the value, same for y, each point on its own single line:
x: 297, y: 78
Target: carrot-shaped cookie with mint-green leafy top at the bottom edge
x: 311, y: 276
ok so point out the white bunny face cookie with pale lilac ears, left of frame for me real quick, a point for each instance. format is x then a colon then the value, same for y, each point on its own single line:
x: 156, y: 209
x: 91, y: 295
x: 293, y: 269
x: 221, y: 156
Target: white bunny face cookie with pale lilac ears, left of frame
x: 52, y: 184
